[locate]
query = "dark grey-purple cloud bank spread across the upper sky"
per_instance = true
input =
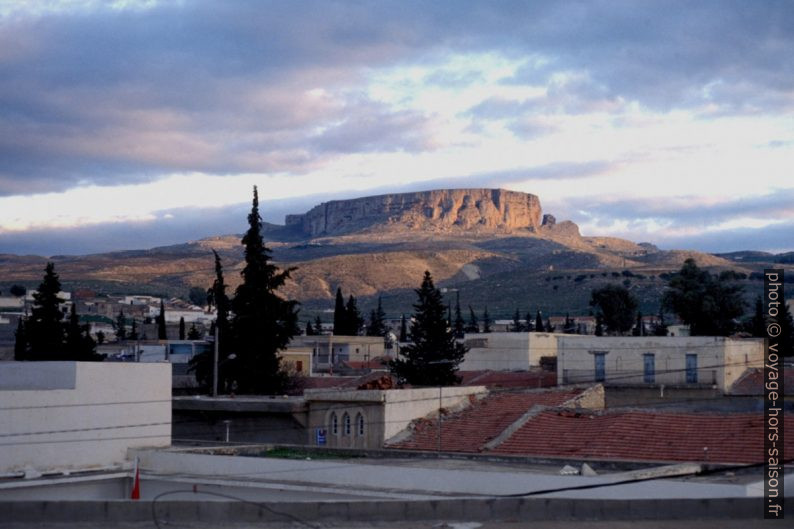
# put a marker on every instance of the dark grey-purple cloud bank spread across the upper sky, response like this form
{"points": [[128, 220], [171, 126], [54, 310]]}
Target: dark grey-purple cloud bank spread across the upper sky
{"points": [[119, 96]]}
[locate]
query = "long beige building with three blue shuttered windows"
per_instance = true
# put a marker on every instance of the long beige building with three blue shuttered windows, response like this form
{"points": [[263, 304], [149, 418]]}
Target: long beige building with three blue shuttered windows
{"points": [[655, 360]]}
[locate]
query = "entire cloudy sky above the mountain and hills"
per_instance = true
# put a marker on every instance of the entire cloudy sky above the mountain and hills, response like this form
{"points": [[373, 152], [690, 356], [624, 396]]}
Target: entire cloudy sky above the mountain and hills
{"points": [[131, 124]]}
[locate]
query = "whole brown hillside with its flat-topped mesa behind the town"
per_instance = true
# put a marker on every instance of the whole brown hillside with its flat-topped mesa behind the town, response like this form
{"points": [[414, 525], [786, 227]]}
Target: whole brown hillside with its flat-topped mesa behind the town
{"points": [[493, 247]]}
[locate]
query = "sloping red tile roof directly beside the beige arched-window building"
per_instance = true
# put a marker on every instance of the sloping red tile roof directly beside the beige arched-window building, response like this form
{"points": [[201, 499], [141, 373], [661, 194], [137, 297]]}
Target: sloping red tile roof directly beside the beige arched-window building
{"points": [[470, 429]]}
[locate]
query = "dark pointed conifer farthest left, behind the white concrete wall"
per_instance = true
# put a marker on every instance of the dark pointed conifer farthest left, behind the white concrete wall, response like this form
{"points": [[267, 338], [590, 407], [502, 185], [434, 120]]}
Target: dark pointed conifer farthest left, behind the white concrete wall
{"points": [[45, 331]]}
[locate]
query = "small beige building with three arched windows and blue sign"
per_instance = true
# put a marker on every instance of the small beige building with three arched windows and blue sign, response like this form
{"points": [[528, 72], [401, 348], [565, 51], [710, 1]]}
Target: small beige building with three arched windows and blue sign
{"points": [[368, 418]]}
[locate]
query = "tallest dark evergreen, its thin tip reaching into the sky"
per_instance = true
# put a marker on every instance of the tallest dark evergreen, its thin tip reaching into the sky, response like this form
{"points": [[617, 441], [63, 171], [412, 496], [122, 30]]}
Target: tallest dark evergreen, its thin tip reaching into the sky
{"points": [[264, 323]]}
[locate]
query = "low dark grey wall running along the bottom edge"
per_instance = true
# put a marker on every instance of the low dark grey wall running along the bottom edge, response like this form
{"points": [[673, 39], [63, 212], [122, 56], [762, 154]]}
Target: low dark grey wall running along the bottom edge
{"points": [[497, 509]]}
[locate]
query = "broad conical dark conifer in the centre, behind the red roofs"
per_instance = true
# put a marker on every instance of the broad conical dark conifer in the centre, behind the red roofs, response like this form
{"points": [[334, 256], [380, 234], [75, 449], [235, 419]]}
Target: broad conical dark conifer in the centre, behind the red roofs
{"points": [[433, 356]]}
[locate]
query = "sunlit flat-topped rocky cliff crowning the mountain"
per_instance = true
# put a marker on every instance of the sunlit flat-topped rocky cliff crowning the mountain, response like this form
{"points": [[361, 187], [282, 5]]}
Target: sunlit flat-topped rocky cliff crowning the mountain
{"points": [[482, 210]]}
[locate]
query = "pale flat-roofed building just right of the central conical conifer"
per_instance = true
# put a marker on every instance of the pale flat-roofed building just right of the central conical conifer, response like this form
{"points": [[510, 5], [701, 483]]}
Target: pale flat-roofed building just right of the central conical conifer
{"points": [[507, 351]]}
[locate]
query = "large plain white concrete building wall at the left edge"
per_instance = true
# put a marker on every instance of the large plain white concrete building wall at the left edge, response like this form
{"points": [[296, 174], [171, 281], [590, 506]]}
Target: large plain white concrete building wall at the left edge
{"points": [[80, 415]]}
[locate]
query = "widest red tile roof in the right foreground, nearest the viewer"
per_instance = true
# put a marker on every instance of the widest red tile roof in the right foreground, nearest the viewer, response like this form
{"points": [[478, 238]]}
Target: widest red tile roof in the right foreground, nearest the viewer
{"points": [[644, 436]]}
